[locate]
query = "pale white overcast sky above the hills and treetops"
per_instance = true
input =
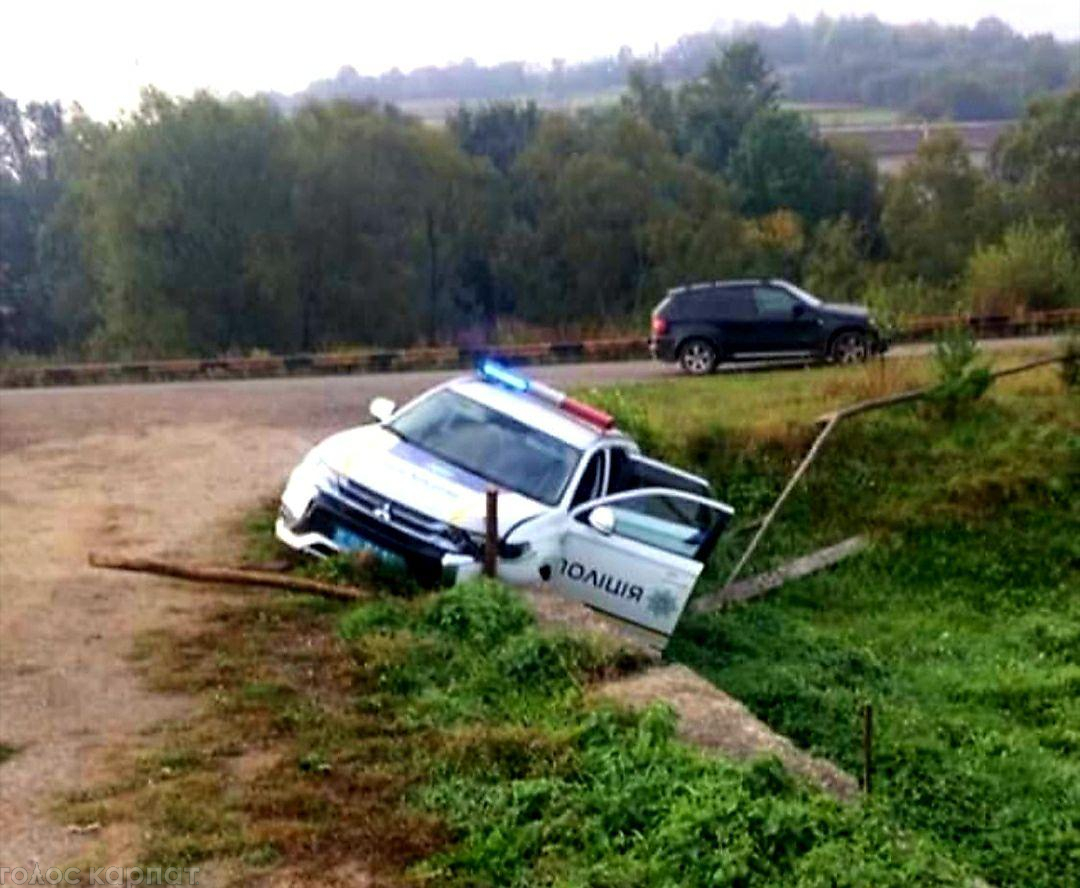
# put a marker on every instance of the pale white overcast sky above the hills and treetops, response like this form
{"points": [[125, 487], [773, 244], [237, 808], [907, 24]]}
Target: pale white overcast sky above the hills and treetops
{"points": [[102, 52]]}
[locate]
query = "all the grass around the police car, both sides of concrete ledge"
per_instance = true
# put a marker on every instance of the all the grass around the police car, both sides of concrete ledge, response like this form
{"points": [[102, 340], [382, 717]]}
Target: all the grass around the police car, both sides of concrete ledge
{"points": [[447, 739]]}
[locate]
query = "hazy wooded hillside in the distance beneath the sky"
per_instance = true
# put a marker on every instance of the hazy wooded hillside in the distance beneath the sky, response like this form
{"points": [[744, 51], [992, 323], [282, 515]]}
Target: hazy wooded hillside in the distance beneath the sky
{"points": [[927, 71]]}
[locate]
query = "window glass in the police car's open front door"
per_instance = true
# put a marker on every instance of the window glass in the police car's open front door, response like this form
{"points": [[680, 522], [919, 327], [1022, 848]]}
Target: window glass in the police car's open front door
{"points": [[674, 524]]}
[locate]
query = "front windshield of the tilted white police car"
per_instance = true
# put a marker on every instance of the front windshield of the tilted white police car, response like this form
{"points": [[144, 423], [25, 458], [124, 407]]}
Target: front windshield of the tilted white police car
{"points": [[490, 445]]}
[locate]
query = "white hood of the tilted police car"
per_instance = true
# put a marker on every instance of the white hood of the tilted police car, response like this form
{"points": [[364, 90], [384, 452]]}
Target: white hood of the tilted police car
{"points": [[406, 474]]}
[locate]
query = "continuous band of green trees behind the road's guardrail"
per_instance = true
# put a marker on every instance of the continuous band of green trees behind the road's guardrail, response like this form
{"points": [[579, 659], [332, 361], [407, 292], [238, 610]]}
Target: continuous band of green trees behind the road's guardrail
{"points": [[201, 226]]}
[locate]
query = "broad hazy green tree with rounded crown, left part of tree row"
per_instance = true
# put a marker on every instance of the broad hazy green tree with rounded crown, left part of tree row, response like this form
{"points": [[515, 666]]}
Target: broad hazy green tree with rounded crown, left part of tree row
{"points": [[174, 200]]}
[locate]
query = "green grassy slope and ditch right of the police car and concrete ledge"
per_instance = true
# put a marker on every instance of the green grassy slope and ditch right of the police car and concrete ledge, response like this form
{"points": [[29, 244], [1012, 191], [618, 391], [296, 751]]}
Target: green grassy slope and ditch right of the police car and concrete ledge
{"points": [[962, 625]]}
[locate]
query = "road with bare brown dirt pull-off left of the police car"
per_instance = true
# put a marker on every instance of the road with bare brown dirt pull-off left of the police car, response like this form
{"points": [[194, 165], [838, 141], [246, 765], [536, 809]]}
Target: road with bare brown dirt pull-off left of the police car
{"points": [[165, 469]]}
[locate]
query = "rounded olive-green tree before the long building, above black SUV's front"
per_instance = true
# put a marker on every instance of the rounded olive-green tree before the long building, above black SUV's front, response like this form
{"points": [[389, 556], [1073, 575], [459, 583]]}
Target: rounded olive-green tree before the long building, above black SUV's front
{"points": [[938, 209]]}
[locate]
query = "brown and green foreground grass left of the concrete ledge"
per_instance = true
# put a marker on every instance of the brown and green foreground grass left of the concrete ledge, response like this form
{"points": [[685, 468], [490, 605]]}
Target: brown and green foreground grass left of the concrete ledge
{"points": [[445, 739]]}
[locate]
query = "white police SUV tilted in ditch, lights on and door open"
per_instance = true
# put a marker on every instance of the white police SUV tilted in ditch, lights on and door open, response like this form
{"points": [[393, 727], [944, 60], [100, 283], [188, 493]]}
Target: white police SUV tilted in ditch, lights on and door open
{"points": [[580, 508]]}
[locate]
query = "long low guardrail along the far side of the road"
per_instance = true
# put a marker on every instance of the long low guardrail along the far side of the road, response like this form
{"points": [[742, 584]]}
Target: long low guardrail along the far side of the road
{"points": [[398, 360]]}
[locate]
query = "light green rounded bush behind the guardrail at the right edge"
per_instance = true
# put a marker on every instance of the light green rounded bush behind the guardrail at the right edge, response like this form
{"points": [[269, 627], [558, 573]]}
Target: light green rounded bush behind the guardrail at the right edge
{"points": [[1032, 270]]}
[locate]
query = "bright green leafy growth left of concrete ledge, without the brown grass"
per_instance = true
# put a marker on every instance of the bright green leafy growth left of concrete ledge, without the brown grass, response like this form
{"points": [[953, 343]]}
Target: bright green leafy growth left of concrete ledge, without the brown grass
{"points": [[541, 787]]}
